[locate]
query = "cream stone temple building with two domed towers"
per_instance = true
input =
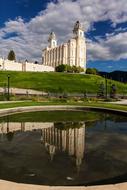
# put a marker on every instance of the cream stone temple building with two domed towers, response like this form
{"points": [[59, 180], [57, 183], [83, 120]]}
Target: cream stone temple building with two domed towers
{"points": [[72, 53]]}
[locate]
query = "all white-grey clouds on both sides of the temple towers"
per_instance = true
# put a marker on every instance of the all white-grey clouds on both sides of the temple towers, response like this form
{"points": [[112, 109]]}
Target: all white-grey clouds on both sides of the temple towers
{"points": [[60, 16]]}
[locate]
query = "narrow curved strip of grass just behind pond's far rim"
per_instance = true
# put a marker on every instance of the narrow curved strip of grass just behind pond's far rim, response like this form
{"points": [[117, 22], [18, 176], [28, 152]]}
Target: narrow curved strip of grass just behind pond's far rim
{"points": [[92, 104]]}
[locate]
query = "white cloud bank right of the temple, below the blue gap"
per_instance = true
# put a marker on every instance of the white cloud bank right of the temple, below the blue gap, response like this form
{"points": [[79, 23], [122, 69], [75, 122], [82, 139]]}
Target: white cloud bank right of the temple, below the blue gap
{"points": [[114, 47]]}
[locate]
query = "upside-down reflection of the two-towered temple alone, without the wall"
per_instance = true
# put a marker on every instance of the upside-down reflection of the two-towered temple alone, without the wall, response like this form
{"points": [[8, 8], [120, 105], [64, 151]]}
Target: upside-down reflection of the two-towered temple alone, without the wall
{"points": [[70, 140]]}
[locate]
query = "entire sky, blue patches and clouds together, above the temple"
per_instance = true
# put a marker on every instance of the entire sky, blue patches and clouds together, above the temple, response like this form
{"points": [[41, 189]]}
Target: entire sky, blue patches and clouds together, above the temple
{"points": [[26, 24]]}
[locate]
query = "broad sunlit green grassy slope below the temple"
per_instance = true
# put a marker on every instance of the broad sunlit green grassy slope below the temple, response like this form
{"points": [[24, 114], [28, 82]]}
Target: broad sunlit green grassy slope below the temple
{"points": [[57, 82]]}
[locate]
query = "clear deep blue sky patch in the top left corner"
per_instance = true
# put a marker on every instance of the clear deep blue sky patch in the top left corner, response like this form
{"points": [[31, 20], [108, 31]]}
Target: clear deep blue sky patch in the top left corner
{"points": [[27, 9]]}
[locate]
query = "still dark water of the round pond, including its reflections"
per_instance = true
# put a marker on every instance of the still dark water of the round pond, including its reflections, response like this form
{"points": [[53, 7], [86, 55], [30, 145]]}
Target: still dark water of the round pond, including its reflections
{"points": [[63, 148]]}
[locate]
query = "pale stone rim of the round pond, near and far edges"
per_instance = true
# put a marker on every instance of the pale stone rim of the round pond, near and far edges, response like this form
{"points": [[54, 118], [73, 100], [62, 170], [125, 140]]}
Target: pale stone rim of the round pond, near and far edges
{"points": [[6, 185]]}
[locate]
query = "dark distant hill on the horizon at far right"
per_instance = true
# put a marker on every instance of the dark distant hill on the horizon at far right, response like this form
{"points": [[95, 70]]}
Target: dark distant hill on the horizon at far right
{"points": [[120, 76]]}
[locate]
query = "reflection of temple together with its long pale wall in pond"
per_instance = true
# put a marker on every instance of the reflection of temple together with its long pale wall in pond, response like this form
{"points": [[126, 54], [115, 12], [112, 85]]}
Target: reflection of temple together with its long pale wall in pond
{"points": [[66, 137]]}
